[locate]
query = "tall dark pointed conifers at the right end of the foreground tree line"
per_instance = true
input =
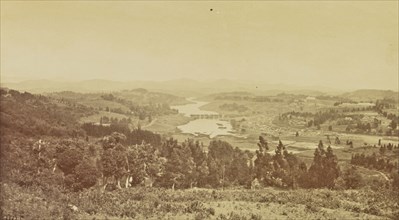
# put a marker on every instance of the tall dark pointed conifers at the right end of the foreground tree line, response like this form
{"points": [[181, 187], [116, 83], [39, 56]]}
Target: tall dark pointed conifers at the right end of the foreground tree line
{"points": [[286, 170]]}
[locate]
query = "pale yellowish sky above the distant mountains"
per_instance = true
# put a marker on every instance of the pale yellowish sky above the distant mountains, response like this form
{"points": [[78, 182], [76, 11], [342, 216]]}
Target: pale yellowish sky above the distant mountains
{"points": [[351, 44]]}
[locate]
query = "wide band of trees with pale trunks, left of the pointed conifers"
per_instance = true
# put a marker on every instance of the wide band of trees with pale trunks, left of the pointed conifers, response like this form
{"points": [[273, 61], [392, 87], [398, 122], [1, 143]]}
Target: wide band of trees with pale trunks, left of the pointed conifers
{"points": [[172, 164]]}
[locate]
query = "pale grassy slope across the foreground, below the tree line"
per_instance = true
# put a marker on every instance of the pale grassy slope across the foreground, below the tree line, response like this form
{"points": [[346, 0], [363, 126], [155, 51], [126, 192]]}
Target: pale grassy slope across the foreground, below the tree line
{"points": [[268, 203]]}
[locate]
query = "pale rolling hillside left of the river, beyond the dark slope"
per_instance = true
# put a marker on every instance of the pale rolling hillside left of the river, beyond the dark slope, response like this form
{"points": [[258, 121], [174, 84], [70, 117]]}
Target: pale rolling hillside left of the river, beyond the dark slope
{"points": [[136, 105]]}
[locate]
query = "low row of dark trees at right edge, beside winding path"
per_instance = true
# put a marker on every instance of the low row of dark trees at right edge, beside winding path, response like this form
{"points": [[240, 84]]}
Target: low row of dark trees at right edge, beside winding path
{"points": [[374, 162]]}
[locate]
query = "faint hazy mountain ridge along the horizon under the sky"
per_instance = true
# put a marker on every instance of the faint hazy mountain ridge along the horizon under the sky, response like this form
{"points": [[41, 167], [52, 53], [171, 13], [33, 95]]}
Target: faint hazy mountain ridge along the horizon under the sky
{"points": [[182, 87]]}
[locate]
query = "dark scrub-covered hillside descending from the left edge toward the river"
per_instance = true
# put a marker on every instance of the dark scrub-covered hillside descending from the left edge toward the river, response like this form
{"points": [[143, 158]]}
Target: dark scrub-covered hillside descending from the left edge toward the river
{"points": [[36, 115]]}
